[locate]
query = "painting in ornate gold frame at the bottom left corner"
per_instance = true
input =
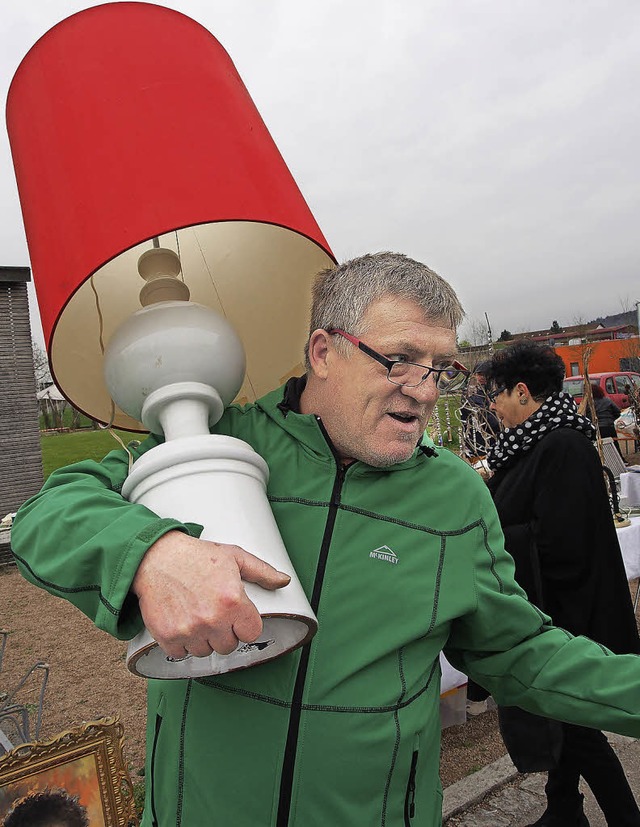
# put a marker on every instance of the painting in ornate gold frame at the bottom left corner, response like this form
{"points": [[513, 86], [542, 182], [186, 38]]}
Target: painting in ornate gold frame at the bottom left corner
{"points": [[80, 771]]}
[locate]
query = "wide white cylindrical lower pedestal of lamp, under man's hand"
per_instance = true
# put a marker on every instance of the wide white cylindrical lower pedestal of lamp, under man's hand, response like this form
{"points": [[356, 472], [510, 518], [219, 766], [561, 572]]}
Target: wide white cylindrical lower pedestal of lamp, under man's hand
{"points": [[220, 483]]}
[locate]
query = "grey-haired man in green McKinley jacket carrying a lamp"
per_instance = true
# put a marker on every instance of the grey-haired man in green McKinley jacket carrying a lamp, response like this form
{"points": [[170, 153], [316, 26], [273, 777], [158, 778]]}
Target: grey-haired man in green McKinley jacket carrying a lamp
{"points": [[344, 731]]}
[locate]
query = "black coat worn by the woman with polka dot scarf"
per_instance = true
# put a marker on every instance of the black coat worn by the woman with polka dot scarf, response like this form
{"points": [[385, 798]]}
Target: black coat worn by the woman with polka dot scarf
{"points": [[553, 501]]}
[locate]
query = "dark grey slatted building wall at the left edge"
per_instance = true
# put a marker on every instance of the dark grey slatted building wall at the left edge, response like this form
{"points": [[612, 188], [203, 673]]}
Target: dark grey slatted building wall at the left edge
{"points": [[20, 454]]}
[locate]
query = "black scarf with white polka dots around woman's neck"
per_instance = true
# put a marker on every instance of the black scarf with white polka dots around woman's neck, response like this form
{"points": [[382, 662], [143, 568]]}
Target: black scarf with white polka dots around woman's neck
{"points": [[557, 411]]}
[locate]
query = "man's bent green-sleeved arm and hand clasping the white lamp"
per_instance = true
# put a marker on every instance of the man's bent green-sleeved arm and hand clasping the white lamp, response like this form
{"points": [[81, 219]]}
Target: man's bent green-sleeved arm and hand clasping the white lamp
{"points": [[81, 540]]}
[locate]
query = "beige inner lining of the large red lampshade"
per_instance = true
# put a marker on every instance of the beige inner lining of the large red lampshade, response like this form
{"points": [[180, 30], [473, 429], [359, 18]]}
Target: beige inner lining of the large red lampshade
{"points": [[257, 275]]}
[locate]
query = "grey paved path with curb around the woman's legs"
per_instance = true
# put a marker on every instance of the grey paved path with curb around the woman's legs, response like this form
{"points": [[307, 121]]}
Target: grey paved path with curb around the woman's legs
{"points": [[498, 796]]}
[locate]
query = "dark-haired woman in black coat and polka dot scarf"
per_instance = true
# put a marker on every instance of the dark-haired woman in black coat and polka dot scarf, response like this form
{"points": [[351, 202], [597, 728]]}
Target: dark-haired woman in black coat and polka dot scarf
{"points": [[549, 490]]}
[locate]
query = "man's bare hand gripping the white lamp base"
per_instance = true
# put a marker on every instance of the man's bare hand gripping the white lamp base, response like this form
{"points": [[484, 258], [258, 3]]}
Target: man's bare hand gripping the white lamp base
{"points": [[191, 595]]}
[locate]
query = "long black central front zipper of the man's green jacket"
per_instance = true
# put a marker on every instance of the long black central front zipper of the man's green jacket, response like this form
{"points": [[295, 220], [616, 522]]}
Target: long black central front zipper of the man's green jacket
{"points": [[288, 765]]}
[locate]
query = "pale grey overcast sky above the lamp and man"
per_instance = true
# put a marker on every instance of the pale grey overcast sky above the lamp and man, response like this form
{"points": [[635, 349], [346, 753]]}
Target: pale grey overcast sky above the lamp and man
{"points": [[495, 140]]}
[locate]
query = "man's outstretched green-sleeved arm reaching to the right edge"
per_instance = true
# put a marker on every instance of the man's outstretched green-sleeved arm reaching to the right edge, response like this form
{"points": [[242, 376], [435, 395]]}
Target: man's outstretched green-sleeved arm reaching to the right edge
{"points": [[509, 647]]}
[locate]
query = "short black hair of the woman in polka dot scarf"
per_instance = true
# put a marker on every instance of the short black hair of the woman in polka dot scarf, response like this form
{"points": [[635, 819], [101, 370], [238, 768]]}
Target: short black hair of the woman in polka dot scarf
{"points": [[538, 366]]}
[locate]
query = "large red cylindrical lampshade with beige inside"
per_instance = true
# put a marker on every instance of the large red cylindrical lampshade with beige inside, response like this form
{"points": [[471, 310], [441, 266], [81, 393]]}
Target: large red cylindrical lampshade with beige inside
{"points": [[129, 122]]}
